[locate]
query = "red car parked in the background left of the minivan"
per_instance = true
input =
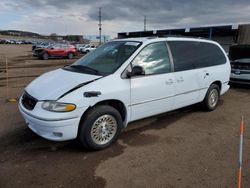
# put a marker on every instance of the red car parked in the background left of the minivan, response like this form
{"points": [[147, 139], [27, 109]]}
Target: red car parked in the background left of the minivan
{"points": [[55, 51]]}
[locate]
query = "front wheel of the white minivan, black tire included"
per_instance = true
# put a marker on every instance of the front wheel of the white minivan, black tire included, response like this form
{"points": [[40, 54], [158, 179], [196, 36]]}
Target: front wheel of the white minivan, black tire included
{"points": [[100, 127]]}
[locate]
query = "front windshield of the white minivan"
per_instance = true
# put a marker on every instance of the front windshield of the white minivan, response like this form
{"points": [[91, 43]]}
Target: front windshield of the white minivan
{"points": [[106, 59]]}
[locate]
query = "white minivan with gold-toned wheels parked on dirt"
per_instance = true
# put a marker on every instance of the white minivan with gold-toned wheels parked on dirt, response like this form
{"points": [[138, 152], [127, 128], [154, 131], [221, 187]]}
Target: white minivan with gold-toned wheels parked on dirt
{"points": [[122, 81]]}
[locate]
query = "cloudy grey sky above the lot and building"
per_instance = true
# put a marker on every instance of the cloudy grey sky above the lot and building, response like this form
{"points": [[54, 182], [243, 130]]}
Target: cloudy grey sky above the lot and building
{"points": [[81, 16]]}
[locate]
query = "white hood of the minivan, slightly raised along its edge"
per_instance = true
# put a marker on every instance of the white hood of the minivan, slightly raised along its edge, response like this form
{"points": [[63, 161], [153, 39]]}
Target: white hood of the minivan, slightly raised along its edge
{"points": [[52, 85]]}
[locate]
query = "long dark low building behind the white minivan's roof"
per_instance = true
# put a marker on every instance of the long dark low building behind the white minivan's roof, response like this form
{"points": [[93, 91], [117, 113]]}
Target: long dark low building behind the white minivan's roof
{"points": [[226, 35]]}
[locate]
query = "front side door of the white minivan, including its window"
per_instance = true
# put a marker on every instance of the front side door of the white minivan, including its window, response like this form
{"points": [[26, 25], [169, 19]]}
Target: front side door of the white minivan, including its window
{"points": [[153, 92]]}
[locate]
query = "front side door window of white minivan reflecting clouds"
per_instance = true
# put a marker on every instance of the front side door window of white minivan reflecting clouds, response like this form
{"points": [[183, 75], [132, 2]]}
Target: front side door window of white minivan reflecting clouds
{"points": [[153, 59]]}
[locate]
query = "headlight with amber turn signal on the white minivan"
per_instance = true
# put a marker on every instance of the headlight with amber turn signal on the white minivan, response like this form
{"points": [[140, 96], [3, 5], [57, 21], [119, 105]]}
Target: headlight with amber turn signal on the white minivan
{"points": [[58, 107]]}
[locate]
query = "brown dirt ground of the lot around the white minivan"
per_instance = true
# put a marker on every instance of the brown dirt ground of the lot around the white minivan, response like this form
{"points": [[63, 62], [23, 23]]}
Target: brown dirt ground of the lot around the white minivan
{"points": [[185, 148]]}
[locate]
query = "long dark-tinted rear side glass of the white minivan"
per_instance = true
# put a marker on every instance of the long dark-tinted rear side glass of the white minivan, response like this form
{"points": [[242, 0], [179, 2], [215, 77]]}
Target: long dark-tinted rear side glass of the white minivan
{"points": [[190, 55]]}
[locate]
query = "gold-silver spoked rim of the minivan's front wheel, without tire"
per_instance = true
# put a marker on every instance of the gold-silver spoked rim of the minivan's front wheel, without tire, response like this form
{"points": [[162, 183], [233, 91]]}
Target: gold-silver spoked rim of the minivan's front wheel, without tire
{"points": [[103, 129]]}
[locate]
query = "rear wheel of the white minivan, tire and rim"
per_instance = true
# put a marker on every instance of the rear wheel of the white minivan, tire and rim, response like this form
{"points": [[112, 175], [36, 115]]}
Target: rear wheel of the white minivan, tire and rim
{"points": [[212, 97]]}
